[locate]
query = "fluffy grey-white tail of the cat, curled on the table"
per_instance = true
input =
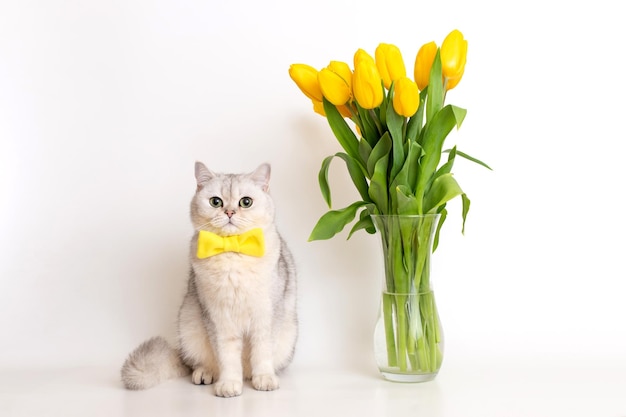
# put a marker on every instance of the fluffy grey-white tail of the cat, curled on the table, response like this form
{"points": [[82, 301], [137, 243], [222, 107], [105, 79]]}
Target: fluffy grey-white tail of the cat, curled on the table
{"points": [[153, 362]]}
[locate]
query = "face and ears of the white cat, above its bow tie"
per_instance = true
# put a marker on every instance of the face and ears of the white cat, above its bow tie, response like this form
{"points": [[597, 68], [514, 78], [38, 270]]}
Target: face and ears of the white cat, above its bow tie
{"points": [[229, 204]]}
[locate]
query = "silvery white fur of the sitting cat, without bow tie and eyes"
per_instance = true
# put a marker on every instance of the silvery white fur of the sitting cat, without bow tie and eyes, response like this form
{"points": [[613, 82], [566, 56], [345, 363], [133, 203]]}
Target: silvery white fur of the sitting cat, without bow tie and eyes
{"points": [[238, 318]]}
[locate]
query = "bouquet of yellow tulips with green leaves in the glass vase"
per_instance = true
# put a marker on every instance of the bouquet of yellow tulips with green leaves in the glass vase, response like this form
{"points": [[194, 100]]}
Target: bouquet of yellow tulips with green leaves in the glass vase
{"points": [[393, 148]]}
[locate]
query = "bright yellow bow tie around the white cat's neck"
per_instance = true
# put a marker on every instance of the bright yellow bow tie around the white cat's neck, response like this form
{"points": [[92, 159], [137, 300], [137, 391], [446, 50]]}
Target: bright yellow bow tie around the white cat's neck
{"points": [[249, 243]]}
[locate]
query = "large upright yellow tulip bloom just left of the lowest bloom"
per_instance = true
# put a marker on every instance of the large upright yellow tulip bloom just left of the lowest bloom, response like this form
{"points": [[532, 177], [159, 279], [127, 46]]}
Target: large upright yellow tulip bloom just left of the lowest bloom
{"points": [[366, 83]]}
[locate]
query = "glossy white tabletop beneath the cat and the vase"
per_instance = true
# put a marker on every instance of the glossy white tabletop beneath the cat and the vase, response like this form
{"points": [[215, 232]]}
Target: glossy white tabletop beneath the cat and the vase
{"points": [[466, 387]]}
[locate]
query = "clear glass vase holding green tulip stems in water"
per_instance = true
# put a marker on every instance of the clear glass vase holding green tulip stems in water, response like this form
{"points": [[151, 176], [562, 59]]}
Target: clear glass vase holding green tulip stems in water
{"points": [[408, 339]]}
